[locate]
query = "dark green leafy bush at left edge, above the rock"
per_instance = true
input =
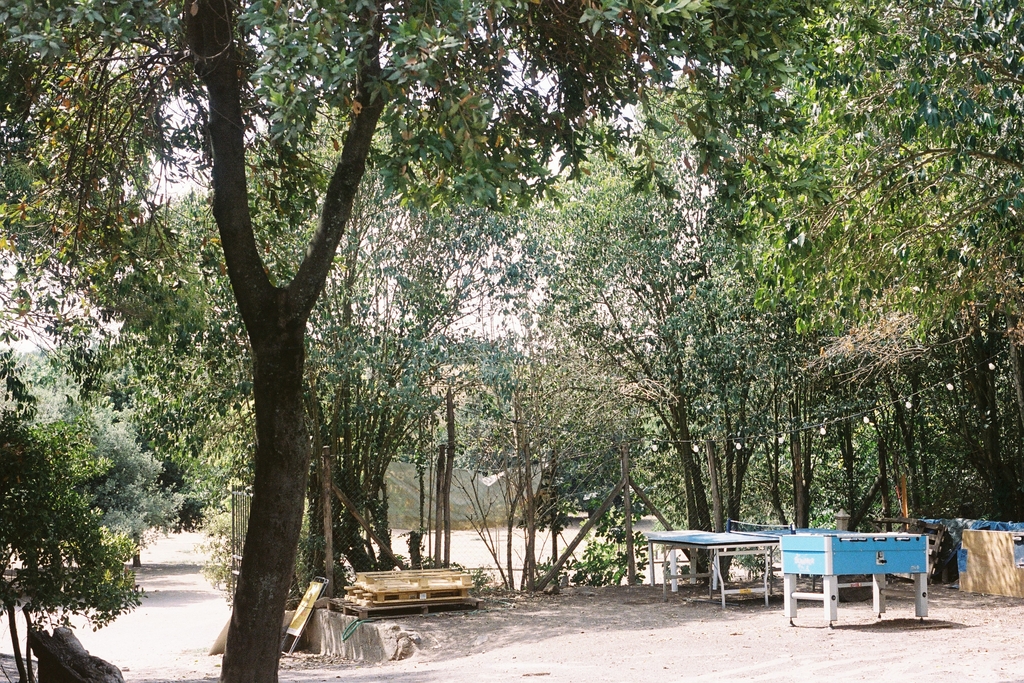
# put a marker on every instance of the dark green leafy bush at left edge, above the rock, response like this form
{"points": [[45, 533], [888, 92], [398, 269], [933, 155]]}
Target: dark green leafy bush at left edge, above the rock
{"points": [[63, 561]]}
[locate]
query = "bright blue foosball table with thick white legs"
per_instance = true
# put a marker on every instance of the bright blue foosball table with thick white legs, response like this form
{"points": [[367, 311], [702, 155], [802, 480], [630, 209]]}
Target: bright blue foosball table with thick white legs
{"points": [[835, 556]]}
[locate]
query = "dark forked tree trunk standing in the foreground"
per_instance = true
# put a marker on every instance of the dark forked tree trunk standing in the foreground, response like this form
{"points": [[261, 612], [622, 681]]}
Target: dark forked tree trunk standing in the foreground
{"points": [[275, 320]]}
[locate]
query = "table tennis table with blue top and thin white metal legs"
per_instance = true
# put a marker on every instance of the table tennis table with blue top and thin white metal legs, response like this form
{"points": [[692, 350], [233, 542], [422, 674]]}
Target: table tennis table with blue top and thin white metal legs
{"points": [[717, 545]]}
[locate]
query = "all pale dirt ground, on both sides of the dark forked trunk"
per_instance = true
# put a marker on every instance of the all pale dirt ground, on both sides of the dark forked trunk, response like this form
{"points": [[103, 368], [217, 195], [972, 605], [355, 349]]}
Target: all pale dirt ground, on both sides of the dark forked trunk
{"points": [[592, 636]]}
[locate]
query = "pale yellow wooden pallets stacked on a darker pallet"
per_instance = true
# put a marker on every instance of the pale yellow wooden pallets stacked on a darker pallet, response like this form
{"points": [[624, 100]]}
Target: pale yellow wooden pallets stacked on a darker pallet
{"points": [[373, 589]]}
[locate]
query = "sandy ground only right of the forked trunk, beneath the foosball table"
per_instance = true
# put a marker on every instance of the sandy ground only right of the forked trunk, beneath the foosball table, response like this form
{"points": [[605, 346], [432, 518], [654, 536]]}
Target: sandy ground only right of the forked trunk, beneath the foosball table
{"points": [[620, 634]]}
